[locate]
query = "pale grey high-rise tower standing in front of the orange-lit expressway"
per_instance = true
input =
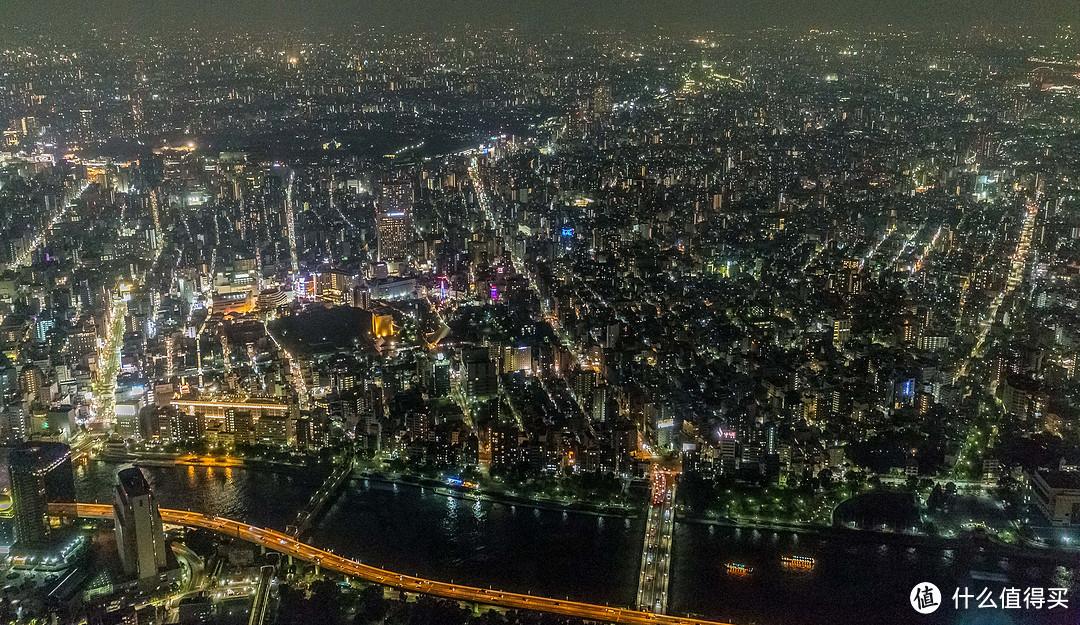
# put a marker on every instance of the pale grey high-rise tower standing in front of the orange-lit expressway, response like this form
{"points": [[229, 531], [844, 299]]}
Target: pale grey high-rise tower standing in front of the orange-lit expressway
{"points": [[140, 538]]}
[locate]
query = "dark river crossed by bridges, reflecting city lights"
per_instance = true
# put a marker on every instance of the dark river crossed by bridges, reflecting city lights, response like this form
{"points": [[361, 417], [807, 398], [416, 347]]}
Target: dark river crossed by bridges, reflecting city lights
{"points": [[415, 531]]}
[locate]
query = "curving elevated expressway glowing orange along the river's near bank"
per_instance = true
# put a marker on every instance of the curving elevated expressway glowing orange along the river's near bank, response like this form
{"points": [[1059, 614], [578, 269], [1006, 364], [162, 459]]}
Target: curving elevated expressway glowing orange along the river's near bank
{"points": [[287, 545]]}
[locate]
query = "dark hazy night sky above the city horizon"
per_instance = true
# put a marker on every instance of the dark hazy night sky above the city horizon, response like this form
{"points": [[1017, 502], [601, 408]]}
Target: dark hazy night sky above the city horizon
{"points": [[724, 16]]}
